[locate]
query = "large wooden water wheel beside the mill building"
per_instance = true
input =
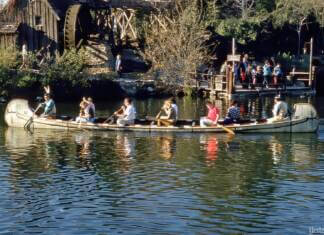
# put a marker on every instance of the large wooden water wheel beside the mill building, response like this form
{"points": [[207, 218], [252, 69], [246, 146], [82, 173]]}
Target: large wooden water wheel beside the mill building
{"points": [[76, 26]]}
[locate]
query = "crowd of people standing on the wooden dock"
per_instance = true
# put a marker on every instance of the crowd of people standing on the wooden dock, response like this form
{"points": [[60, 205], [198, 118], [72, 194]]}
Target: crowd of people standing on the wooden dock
{"points": [[251, 75]]}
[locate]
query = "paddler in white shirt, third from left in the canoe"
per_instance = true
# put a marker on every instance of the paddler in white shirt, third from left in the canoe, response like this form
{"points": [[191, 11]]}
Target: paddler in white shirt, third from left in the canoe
{"points": [[126, 115]]}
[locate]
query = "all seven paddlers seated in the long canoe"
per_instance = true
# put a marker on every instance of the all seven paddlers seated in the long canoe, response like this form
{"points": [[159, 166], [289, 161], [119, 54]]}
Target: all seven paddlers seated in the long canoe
{"points": [[167, 116]]}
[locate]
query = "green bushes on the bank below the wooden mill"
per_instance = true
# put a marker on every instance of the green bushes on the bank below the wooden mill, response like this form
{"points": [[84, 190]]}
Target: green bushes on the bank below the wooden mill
{"points": [[67, 71]]}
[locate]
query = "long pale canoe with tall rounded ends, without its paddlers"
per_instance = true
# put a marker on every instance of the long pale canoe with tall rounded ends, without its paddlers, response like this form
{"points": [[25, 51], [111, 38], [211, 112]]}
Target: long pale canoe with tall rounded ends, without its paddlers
{"points": [[18, 113]]}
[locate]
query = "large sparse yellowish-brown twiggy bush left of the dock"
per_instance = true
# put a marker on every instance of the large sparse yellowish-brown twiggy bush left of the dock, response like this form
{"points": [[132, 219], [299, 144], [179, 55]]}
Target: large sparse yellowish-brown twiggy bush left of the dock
{"points": [[177, 48]]}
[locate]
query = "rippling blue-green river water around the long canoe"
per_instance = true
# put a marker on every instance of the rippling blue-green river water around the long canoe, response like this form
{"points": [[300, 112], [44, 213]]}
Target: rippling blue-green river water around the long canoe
{"points": [[82, 182]]}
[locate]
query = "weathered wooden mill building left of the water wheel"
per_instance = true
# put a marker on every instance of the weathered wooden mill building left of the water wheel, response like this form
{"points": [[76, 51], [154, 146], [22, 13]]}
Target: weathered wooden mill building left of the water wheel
{"points": [[37, 23]]}
